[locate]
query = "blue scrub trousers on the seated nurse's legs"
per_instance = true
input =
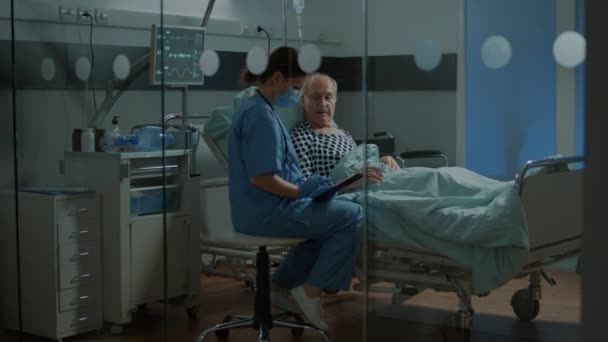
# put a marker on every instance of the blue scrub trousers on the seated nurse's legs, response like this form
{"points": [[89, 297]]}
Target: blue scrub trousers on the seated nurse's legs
{"points": [[327, 259]]}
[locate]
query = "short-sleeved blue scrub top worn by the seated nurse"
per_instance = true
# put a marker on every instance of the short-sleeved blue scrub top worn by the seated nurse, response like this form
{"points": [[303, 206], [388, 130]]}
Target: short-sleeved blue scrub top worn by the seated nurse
{"points": [[260, 144]]}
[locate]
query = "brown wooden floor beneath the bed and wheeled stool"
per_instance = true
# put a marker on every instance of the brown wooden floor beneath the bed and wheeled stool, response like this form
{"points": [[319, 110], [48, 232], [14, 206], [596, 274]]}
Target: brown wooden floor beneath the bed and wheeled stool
{"points": [[419, 319]]}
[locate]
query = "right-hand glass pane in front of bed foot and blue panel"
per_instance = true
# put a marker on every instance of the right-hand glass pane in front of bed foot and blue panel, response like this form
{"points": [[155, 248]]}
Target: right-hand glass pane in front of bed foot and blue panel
{"points": [[456, 246]]}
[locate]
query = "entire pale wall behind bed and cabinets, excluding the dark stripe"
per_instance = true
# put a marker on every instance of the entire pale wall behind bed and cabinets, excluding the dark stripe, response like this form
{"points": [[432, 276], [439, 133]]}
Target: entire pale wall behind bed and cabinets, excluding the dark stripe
{"points": [[424, 119]]}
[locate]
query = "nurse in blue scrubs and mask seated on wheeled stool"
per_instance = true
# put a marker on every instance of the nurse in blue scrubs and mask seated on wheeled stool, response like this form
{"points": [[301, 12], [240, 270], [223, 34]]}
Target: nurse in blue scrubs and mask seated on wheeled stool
{"points": [[269, 198]]}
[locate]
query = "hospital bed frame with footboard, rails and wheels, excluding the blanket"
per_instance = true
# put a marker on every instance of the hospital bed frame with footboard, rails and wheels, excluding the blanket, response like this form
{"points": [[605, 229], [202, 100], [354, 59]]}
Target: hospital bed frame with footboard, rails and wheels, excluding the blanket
{"points": [[553, 237]]}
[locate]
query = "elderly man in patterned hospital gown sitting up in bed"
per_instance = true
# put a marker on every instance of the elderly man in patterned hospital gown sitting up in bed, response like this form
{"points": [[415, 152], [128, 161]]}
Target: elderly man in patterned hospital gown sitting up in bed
{"points": [[318, 143]]}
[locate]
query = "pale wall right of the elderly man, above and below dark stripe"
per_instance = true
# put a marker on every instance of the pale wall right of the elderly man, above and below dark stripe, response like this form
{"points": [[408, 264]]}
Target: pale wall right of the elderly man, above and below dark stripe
{"points": [[417, 119]]}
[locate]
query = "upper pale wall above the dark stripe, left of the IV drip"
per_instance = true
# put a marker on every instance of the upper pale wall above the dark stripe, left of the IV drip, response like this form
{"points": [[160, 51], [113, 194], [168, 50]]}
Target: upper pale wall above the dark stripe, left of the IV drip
{"points": [[224, 34]]}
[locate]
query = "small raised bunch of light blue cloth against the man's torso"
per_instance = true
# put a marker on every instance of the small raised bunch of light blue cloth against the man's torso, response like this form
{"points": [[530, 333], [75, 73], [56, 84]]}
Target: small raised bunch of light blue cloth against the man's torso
{"points": [[355, 160]]}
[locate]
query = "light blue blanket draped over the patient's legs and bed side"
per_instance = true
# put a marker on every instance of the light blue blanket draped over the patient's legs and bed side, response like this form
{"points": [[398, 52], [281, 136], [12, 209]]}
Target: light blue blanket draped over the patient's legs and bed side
{"points": [[477, 221]]}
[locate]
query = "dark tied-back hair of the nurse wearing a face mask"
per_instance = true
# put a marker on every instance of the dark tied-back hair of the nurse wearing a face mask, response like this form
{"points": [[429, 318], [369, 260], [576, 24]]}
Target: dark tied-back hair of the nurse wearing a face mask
{"points": [[283, 59]]}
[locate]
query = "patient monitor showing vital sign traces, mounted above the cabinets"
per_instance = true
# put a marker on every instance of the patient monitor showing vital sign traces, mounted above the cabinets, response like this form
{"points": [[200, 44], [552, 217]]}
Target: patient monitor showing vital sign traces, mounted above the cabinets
{"points": [[181, 48]]}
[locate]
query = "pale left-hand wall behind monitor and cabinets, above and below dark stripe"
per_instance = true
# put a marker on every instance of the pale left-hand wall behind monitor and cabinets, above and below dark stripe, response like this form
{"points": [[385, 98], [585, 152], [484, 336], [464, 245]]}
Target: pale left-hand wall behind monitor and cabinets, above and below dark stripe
{"points": [[46, 118]]}
